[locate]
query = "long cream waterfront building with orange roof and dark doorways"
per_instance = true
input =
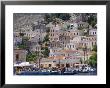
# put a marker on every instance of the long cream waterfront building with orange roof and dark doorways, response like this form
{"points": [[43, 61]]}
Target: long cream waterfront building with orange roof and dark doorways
{"points": [[64, 62]]}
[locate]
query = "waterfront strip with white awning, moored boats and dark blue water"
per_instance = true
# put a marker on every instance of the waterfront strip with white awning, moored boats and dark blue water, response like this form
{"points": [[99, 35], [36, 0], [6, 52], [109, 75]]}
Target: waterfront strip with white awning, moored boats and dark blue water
{"points": [[78, 70]]}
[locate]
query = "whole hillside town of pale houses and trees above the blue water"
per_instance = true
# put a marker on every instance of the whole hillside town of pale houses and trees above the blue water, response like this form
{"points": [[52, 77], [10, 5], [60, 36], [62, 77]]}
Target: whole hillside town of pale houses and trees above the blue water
{"points": [[63, 43]]}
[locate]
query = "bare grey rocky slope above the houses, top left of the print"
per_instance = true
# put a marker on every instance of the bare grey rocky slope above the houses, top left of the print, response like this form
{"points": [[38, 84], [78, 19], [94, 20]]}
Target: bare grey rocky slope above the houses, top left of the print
{"points": [[25, 22]]}
